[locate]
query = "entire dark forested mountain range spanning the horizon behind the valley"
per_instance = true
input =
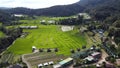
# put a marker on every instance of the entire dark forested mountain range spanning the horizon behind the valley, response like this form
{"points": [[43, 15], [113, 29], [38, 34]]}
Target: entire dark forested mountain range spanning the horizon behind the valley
{"points": [[103, 10]]}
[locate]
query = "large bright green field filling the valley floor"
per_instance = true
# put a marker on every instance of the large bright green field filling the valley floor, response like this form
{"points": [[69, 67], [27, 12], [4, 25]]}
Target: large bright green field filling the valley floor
{"points": [[48, 36]]}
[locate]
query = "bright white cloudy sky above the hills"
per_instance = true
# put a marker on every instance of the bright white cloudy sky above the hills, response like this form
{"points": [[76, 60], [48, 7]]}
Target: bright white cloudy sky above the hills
{"points": [[35, 4]]}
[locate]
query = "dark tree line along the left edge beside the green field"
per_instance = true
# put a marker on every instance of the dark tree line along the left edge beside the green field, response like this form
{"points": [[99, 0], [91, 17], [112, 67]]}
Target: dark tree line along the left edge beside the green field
{"points": [[11, 35]]}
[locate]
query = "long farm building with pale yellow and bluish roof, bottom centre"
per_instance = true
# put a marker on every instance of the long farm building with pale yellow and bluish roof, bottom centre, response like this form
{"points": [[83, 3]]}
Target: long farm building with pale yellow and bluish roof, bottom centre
{"points": [[64, 63]]}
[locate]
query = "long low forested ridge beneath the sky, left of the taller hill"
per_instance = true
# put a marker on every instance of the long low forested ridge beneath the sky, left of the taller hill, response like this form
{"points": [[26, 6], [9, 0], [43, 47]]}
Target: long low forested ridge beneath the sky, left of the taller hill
{"points": [[60, 10]]}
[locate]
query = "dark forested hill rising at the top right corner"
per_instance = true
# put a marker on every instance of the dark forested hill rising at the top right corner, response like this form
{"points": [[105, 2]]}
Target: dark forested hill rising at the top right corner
{"points": [[107, 10]]}
